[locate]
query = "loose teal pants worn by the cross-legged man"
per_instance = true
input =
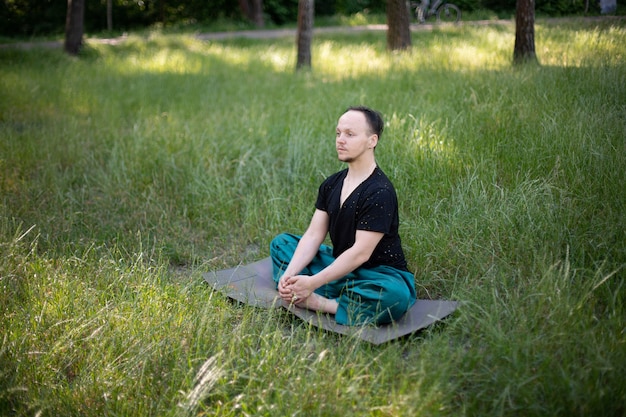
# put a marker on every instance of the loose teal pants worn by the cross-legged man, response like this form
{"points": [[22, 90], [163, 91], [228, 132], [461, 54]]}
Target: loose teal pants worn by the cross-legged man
{"points": [[376, 295]]}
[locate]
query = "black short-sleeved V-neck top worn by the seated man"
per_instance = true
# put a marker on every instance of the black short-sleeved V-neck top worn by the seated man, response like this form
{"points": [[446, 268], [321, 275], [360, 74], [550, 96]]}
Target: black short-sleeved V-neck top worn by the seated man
{"points": [[372, 206]]}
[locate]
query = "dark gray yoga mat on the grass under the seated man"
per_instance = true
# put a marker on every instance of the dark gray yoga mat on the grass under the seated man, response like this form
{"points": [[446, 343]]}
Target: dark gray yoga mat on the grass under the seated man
{"points": [[252, 284]]}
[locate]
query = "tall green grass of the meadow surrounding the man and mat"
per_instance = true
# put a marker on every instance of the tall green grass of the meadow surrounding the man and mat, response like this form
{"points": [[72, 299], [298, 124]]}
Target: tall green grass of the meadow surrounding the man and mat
{"points": [[128, 172]]}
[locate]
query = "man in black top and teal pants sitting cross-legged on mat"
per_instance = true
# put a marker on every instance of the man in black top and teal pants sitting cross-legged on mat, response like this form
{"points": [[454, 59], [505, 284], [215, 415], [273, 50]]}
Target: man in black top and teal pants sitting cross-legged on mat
{"points": [[363, 278]]}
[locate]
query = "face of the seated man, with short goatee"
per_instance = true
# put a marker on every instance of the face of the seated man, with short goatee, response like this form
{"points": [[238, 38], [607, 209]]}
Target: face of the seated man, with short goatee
{"points": [[353, 138]]}
